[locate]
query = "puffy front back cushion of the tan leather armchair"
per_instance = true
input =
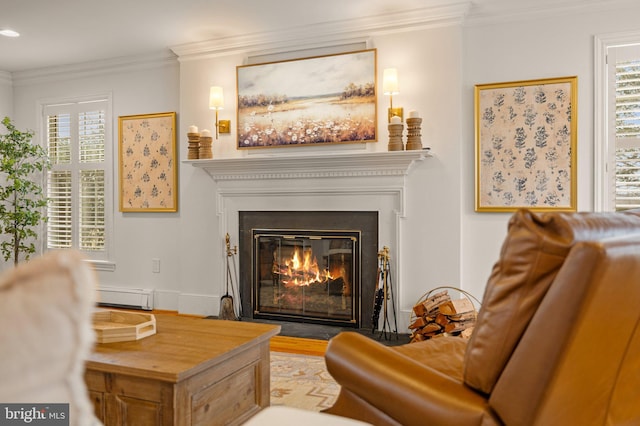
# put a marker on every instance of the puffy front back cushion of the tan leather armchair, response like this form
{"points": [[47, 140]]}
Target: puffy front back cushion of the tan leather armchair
{"points": [[533, 251]]}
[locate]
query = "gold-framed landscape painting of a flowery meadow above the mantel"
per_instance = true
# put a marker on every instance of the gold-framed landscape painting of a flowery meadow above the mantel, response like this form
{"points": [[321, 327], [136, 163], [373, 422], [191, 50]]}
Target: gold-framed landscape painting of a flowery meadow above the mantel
{"points": [[312, 101]]}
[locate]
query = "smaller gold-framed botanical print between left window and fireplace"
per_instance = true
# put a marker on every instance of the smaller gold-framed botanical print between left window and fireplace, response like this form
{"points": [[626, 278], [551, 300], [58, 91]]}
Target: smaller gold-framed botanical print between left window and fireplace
{"points": [[147, 163]]}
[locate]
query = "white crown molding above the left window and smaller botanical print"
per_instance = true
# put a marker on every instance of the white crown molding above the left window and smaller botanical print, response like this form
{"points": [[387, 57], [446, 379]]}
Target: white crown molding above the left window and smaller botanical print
{"points": [[93, 68]]}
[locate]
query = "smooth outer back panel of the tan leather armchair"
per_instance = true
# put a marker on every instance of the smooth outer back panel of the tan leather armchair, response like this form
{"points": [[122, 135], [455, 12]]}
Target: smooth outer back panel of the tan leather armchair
{"points": [[578, 362]]}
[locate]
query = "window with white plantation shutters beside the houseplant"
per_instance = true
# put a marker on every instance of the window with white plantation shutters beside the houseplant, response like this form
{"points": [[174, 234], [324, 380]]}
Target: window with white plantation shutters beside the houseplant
{"points": [[78, 139]]}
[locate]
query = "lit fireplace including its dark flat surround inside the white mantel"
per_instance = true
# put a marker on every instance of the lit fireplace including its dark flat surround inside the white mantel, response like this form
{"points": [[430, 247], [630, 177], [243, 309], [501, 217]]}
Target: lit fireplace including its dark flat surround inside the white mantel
{"points": [[309, 266]]}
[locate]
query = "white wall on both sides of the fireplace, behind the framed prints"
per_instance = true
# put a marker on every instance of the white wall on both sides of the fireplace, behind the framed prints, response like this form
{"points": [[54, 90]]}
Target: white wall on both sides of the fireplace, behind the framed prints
{"points": [[449, 244]]}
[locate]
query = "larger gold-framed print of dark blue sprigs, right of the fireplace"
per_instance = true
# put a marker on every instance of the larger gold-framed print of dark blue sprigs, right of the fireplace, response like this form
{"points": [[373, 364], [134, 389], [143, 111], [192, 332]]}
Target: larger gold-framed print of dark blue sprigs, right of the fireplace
{"points": [[526, 145]]}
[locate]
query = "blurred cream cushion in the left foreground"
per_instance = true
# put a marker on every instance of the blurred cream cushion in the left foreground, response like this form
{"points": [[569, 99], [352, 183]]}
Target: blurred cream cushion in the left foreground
{"points": [[46, 334]]}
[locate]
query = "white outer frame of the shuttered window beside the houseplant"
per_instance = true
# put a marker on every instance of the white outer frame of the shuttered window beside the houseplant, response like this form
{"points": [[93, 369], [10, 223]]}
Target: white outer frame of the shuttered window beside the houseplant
{"points": [[102, 260]]}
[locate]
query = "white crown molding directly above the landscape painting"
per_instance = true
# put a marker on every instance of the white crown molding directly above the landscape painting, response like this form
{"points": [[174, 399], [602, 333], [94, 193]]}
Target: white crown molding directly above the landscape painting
{"points": [[310, 36]]}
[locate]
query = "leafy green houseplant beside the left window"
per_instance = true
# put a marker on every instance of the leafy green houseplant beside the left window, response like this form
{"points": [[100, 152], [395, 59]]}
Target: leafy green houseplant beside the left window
{"points": [[22, 197]]}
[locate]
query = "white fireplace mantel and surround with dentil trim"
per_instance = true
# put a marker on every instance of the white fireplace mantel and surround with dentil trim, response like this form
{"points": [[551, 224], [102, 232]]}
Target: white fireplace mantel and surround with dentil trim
{"points": [[344, 181]]}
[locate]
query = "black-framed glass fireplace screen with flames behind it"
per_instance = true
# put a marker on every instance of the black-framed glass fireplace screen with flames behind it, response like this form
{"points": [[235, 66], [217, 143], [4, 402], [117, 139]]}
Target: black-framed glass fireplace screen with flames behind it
{"points": [[308, 275]]}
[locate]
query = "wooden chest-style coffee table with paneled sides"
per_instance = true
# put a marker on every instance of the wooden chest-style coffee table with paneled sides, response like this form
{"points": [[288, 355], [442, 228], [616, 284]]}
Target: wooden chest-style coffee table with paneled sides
{"points": [[193, 371]]}
